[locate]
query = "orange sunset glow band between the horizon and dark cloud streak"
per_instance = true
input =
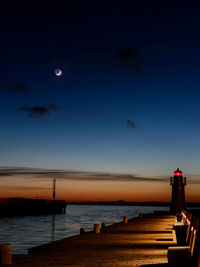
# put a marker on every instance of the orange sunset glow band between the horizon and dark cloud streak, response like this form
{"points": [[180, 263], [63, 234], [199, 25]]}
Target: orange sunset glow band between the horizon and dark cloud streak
{"points": [[95, 191]]}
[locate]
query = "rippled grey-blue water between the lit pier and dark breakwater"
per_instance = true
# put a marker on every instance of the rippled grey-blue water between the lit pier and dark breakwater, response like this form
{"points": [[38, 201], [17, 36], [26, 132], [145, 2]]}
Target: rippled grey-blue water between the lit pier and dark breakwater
{"points": [[30, 231]]}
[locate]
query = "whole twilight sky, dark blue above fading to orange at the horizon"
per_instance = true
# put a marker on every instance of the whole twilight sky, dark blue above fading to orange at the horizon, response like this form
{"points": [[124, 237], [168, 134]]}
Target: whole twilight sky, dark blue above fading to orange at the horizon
{"points": [[126, 105]]}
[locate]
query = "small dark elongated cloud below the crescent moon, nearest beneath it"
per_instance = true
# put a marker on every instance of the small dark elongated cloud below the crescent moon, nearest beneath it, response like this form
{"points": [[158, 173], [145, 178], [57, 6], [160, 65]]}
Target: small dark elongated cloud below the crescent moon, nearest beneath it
{"points": [[39, 111]]}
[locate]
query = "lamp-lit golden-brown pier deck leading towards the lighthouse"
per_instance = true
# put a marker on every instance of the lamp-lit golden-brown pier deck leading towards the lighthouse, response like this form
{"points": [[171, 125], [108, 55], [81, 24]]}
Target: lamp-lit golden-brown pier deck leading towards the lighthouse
{"points": [[140, 242]]}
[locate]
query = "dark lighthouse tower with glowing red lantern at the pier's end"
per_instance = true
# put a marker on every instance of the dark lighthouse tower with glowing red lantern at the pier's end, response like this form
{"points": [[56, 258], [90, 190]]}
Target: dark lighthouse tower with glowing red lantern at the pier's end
{"points": [[178, 183]]}
